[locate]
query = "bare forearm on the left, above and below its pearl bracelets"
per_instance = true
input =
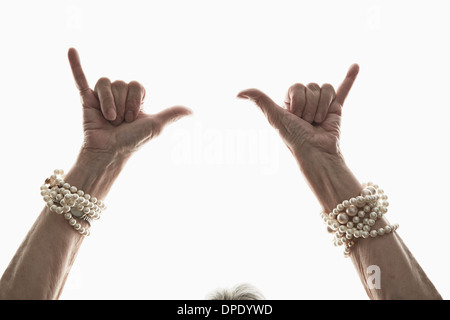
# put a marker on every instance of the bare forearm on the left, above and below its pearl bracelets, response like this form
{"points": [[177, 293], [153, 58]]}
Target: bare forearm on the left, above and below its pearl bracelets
{"points": [[41, 264]]}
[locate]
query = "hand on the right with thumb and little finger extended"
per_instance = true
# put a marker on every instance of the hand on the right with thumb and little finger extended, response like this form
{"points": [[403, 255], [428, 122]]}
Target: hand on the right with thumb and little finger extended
{"points": [[311, 117]]}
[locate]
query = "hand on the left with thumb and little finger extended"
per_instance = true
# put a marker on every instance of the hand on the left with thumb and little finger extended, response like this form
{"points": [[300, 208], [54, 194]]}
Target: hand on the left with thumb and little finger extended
{"points": [[108, 105]]}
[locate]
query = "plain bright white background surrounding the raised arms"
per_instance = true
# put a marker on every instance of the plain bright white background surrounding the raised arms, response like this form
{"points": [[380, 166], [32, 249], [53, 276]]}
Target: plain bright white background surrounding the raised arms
{"points": [[217, 199]]}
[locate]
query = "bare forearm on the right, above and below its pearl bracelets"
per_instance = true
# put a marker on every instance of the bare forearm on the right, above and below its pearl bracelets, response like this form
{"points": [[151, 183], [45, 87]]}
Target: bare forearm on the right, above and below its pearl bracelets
{"points": [[401, 277]]}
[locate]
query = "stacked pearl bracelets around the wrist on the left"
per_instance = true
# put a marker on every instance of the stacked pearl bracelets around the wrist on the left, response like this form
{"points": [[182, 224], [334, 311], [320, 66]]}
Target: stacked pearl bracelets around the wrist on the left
{"points": [[73, 204]]}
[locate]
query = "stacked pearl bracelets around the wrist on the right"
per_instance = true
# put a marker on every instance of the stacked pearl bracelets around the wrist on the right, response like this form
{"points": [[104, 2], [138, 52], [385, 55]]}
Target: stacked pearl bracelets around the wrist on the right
{"points": [[354, 218]]}
